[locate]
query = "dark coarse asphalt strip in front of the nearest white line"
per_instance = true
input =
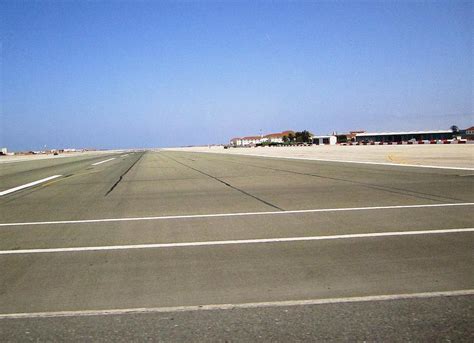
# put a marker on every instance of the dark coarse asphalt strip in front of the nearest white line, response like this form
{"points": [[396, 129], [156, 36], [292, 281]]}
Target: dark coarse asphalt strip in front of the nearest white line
{"points": [[434, 320]]}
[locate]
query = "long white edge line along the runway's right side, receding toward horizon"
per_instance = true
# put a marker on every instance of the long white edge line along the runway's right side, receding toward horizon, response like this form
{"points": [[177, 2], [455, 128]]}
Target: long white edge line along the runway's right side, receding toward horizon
{"points": [[340, 161]]}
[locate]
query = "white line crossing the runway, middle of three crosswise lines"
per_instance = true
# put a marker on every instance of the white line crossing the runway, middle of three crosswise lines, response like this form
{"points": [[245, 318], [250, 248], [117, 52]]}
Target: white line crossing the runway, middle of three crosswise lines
{"points": [[234, 242]]}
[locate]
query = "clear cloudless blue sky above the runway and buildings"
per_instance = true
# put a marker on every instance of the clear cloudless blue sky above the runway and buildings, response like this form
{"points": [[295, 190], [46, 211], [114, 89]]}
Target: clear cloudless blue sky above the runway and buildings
{"points": [[155, 74]]}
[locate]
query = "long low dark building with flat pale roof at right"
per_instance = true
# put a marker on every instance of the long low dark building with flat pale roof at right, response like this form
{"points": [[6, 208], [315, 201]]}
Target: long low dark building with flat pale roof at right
{"points": [[404, 136]]}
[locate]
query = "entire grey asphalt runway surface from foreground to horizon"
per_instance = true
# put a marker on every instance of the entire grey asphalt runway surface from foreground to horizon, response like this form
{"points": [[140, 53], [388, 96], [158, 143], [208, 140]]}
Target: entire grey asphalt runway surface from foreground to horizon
{"points": [[156, 184]]}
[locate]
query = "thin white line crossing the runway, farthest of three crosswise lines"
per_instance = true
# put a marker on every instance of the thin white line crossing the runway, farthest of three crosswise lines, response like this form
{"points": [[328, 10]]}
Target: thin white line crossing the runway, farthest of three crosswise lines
{"points": [[238, 214]]}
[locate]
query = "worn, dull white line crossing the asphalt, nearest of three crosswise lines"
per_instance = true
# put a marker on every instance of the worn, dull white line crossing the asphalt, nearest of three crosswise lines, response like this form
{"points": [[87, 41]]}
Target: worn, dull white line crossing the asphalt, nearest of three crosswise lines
{"points": [[284, 303]]}
